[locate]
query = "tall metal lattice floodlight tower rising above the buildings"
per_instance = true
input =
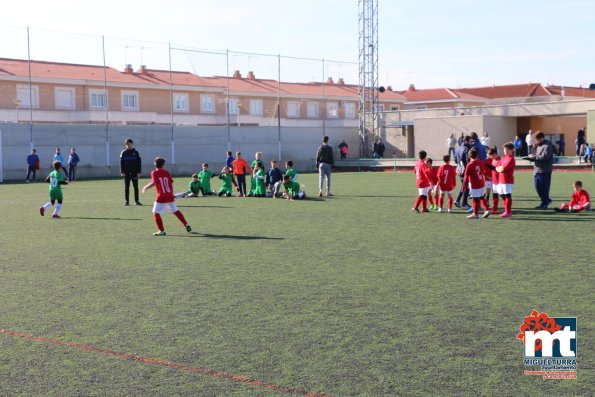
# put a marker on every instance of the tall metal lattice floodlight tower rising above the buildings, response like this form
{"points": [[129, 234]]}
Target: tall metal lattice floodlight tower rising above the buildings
{"points": [[368, 73]]}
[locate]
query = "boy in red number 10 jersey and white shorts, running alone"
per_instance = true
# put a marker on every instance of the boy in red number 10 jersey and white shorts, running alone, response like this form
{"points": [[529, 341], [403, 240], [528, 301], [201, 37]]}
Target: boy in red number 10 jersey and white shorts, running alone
{"points": [[165, 200]]}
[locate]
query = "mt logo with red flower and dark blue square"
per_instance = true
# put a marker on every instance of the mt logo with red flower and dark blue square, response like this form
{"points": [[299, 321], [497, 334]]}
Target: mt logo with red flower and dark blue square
{"points": [[545, 336]]}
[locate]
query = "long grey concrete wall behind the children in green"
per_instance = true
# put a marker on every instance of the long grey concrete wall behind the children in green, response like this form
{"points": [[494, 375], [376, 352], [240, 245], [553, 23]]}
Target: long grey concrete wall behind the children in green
{"points": [[193, 145]]}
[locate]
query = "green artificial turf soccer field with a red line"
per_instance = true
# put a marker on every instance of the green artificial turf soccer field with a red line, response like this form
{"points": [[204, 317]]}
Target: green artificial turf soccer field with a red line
{"points": [[353, 295]]}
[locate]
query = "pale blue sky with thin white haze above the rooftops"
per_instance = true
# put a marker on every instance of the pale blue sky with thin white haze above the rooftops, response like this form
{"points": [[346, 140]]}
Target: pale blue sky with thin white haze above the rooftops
{"points": [[431, 43]]}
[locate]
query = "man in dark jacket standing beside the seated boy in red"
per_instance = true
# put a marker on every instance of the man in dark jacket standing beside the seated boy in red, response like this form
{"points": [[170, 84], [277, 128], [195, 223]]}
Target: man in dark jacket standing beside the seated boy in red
{"points": [[543, 162]]}
